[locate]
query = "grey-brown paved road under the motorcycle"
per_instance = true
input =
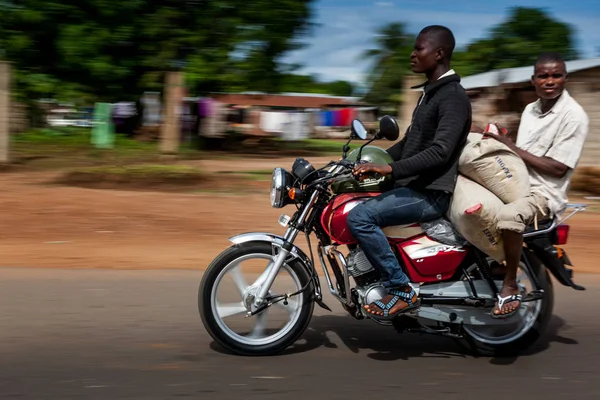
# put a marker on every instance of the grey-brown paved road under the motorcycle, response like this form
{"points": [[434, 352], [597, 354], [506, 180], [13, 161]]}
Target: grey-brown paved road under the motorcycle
{"points": [[98, 334]]}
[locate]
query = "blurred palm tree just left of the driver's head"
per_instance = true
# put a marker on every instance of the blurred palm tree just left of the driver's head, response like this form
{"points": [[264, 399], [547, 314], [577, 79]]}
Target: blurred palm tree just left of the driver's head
{"points": [[390, 64]]}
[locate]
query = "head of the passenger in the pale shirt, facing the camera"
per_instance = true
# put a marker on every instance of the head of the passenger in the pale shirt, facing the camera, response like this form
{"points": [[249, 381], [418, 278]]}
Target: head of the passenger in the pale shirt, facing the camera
{"points": [[549, 76]]}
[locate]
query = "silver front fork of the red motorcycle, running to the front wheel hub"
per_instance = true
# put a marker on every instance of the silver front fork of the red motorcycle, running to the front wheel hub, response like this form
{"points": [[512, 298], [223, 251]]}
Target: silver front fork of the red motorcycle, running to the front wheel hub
{"points": [[264, 282]]}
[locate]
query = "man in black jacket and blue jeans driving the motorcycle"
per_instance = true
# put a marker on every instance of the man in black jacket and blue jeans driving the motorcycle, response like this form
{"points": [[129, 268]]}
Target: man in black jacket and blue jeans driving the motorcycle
{"points": [[425, 167]]}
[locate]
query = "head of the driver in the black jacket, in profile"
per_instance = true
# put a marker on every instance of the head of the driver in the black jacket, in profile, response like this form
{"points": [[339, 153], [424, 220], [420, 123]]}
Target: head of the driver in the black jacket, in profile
{"points": [[433, 46]]}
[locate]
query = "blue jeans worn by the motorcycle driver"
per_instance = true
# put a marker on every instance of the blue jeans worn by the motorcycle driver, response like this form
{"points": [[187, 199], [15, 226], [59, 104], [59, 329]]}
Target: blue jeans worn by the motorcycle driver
{"points": [[397, 207]]}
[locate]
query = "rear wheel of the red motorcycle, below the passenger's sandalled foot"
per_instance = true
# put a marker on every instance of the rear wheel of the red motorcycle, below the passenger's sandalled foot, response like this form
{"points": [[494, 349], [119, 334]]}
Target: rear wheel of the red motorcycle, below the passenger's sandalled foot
{"points": [[521, 330]]}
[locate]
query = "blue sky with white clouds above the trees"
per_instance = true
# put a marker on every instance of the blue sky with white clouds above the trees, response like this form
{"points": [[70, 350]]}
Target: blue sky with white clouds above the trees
{"points": [[334, 49]]}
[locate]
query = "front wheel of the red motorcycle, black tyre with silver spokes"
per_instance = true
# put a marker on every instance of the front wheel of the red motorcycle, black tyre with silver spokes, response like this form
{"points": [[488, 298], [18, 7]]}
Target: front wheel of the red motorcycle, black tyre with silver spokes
{"points": [[247, 345]]}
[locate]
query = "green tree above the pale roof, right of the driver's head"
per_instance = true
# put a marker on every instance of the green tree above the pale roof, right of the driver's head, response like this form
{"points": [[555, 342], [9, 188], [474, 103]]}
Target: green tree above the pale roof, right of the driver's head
{"points": [[517, 42]]}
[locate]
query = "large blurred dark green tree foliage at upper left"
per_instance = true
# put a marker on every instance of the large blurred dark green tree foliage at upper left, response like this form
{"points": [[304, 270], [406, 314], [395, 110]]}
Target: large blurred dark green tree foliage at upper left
{"points": [[109, 49]]}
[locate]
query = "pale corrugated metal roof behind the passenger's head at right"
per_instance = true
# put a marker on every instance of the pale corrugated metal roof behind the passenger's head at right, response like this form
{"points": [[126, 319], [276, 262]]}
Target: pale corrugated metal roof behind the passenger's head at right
{"points": [[519, 75]]}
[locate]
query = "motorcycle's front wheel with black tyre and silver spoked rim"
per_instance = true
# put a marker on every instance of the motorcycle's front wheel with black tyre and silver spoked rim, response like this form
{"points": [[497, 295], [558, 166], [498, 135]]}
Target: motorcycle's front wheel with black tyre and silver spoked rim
{"points": [[224, 308]]}
